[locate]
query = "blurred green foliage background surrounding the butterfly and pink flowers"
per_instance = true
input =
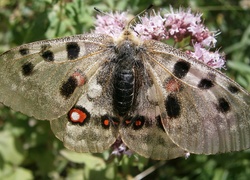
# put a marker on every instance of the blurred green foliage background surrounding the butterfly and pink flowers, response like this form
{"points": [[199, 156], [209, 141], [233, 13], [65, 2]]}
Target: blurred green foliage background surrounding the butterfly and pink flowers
{"points": [[28, 148]]}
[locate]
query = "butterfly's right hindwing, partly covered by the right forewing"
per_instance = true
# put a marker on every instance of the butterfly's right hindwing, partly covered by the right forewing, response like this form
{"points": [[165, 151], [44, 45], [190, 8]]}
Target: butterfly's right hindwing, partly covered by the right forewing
{"points": [[142, 131]]}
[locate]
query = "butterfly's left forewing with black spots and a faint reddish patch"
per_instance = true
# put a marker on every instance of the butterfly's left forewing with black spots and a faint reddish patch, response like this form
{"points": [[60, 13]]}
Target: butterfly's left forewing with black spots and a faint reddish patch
{"points": [[44, 79]]}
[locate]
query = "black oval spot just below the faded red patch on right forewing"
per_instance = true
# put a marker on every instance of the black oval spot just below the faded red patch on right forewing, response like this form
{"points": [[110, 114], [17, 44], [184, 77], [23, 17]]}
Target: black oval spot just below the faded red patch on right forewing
{"points": [[173, 106]]}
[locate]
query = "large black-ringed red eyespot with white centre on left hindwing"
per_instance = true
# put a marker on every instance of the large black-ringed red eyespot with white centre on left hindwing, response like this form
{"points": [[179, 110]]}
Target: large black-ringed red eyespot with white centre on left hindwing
{"points": [[78, 115]]}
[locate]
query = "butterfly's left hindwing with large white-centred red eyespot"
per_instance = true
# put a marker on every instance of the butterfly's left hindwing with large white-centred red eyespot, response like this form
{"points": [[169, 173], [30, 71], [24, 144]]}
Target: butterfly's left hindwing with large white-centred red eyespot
{"points": [[90, 125]]}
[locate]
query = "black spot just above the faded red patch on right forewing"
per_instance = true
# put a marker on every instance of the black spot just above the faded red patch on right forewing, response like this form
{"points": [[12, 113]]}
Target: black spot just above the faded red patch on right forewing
{"points": [[181, 69]]}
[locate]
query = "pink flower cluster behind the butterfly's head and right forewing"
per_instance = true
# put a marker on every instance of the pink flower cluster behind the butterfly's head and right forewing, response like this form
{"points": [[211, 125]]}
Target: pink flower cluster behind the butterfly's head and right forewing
{"points": [[178, 25]]}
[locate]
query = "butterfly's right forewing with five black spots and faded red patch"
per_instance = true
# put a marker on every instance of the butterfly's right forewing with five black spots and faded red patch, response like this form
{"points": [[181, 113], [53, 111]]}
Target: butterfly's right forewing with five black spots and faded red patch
{"points": [[202, 111]]}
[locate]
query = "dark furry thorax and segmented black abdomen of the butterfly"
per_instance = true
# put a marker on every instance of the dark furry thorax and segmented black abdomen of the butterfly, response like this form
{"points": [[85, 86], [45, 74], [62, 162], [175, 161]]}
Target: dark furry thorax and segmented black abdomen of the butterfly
{"points": [[124, 77]]}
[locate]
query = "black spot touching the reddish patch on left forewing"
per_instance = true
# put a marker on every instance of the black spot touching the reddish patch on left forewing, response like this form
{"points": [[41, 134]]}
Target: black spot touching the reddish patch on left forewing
{"points": [[69, 87]]}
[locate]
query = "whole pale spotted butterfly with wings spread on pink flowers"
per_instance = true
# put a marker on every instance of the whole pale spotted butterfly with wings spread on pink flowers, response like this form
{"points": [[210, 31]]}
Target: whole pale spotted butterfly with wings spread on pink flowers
{"points": [[95, 89]]}
